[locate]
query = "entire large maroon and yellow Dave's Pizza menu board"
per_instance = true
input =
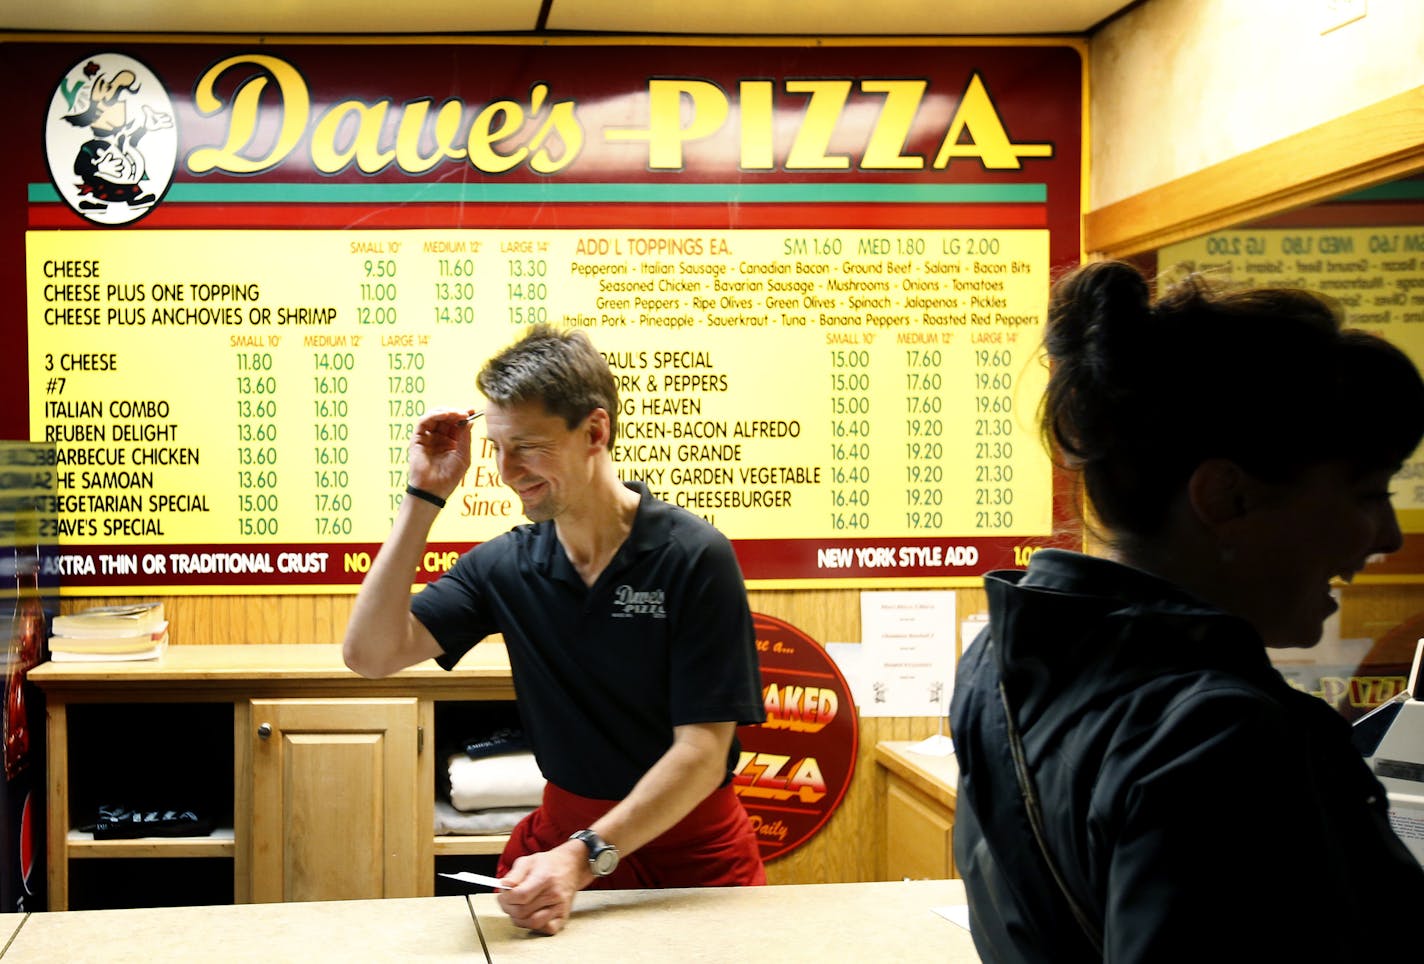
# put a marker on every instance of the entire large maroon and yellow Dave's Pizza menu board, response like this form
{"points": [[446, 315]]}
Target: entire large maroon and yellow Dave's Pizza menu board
{"points": [[818, 271]]}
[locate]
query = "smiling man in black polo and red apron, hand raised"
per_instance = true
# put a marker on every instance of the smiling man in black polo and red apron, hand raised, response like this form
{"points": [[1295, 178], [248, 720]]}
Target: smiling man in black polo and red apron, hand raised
{"points": [[627, 626]]}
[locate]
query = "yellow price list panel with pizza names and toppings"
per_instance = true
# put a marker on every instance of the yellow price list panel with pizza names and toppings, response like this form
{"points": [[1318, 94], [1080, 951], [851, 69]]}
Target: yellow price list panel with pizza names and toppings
{"points": [[241, 387]]}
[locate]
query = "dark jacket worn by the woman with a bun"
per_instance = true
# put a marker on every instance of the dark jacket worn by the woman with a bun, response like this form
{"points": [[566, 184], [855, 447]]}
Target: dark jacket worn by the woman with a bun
{"points": [[1200, 807]]}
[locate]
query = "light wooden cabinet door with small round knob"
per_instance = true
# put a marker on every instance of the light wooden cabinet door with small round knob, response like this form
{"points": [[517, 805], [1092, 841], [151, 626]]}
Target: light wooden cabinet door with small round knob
{"points": [[334, 800]]}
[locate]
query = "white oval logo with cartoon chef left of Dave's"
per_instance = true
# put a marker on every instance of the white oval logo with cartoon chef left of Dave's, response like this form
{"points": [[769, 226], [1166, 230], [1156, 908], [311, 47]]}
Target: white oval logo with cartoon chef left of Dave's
{"points": [[110, 139]]}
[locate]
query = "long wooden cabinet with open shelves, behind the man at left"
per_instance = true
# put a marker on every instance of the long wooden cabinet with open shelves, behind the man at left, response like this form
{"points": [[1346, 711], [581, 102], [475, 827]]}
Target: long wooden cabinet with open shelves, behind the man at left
{"points": [[323, 782]]}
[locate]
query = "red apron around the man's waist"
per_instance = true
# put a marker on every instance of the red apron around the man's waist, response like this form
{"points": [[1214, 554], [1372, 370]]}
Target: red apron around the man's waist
{"points": [[714, 847]]}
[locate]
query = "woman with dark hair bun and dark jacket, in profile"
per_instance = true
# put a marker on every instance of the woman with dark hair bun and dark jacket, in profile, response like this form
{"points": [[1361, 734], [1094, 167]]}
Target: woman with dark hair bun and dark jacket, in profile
{"points": [[1137, 782]]}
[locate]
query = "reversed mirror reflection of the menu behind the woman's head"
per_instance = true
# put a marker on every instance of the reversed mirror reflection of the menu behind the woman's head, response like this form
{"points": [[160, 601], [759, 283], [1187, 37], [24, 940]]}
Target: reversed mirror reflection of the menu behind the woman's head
{"points": [[1376, 277]]}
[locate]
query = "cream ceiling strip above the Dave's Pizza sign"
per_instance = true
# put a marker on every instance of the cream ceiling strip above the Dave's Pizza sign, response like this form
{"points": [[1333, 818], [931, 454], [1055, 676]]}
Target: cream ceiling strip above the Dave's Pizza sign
{"points": [[721, 18]]}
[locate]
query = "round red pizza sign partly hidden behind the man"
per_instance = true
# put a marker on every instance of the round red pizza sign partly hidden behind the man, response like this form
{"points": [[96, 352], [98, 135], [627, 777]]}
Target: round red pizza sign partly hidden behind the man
{"points": [[797, 767]]}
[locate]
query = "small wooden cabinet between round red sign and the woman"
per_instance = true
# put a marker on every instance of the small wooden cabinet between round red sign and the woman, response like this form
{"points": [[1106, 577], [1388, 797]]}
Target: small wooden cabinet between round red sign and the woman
{"points": [[919, 812]]}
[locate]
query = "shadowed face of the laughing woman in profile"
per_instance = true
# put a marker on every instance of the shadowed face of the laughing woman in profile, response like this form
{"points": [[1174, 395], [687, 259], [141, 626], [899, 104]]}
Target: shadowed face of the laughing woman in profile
{"points": [[1297, 538]]}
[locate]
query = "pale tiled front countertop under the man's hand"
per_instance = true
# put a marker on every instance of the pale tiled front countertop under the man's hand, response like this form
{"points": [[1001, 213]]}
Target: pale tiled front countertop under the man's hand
{"points": [[827, 923]]}
